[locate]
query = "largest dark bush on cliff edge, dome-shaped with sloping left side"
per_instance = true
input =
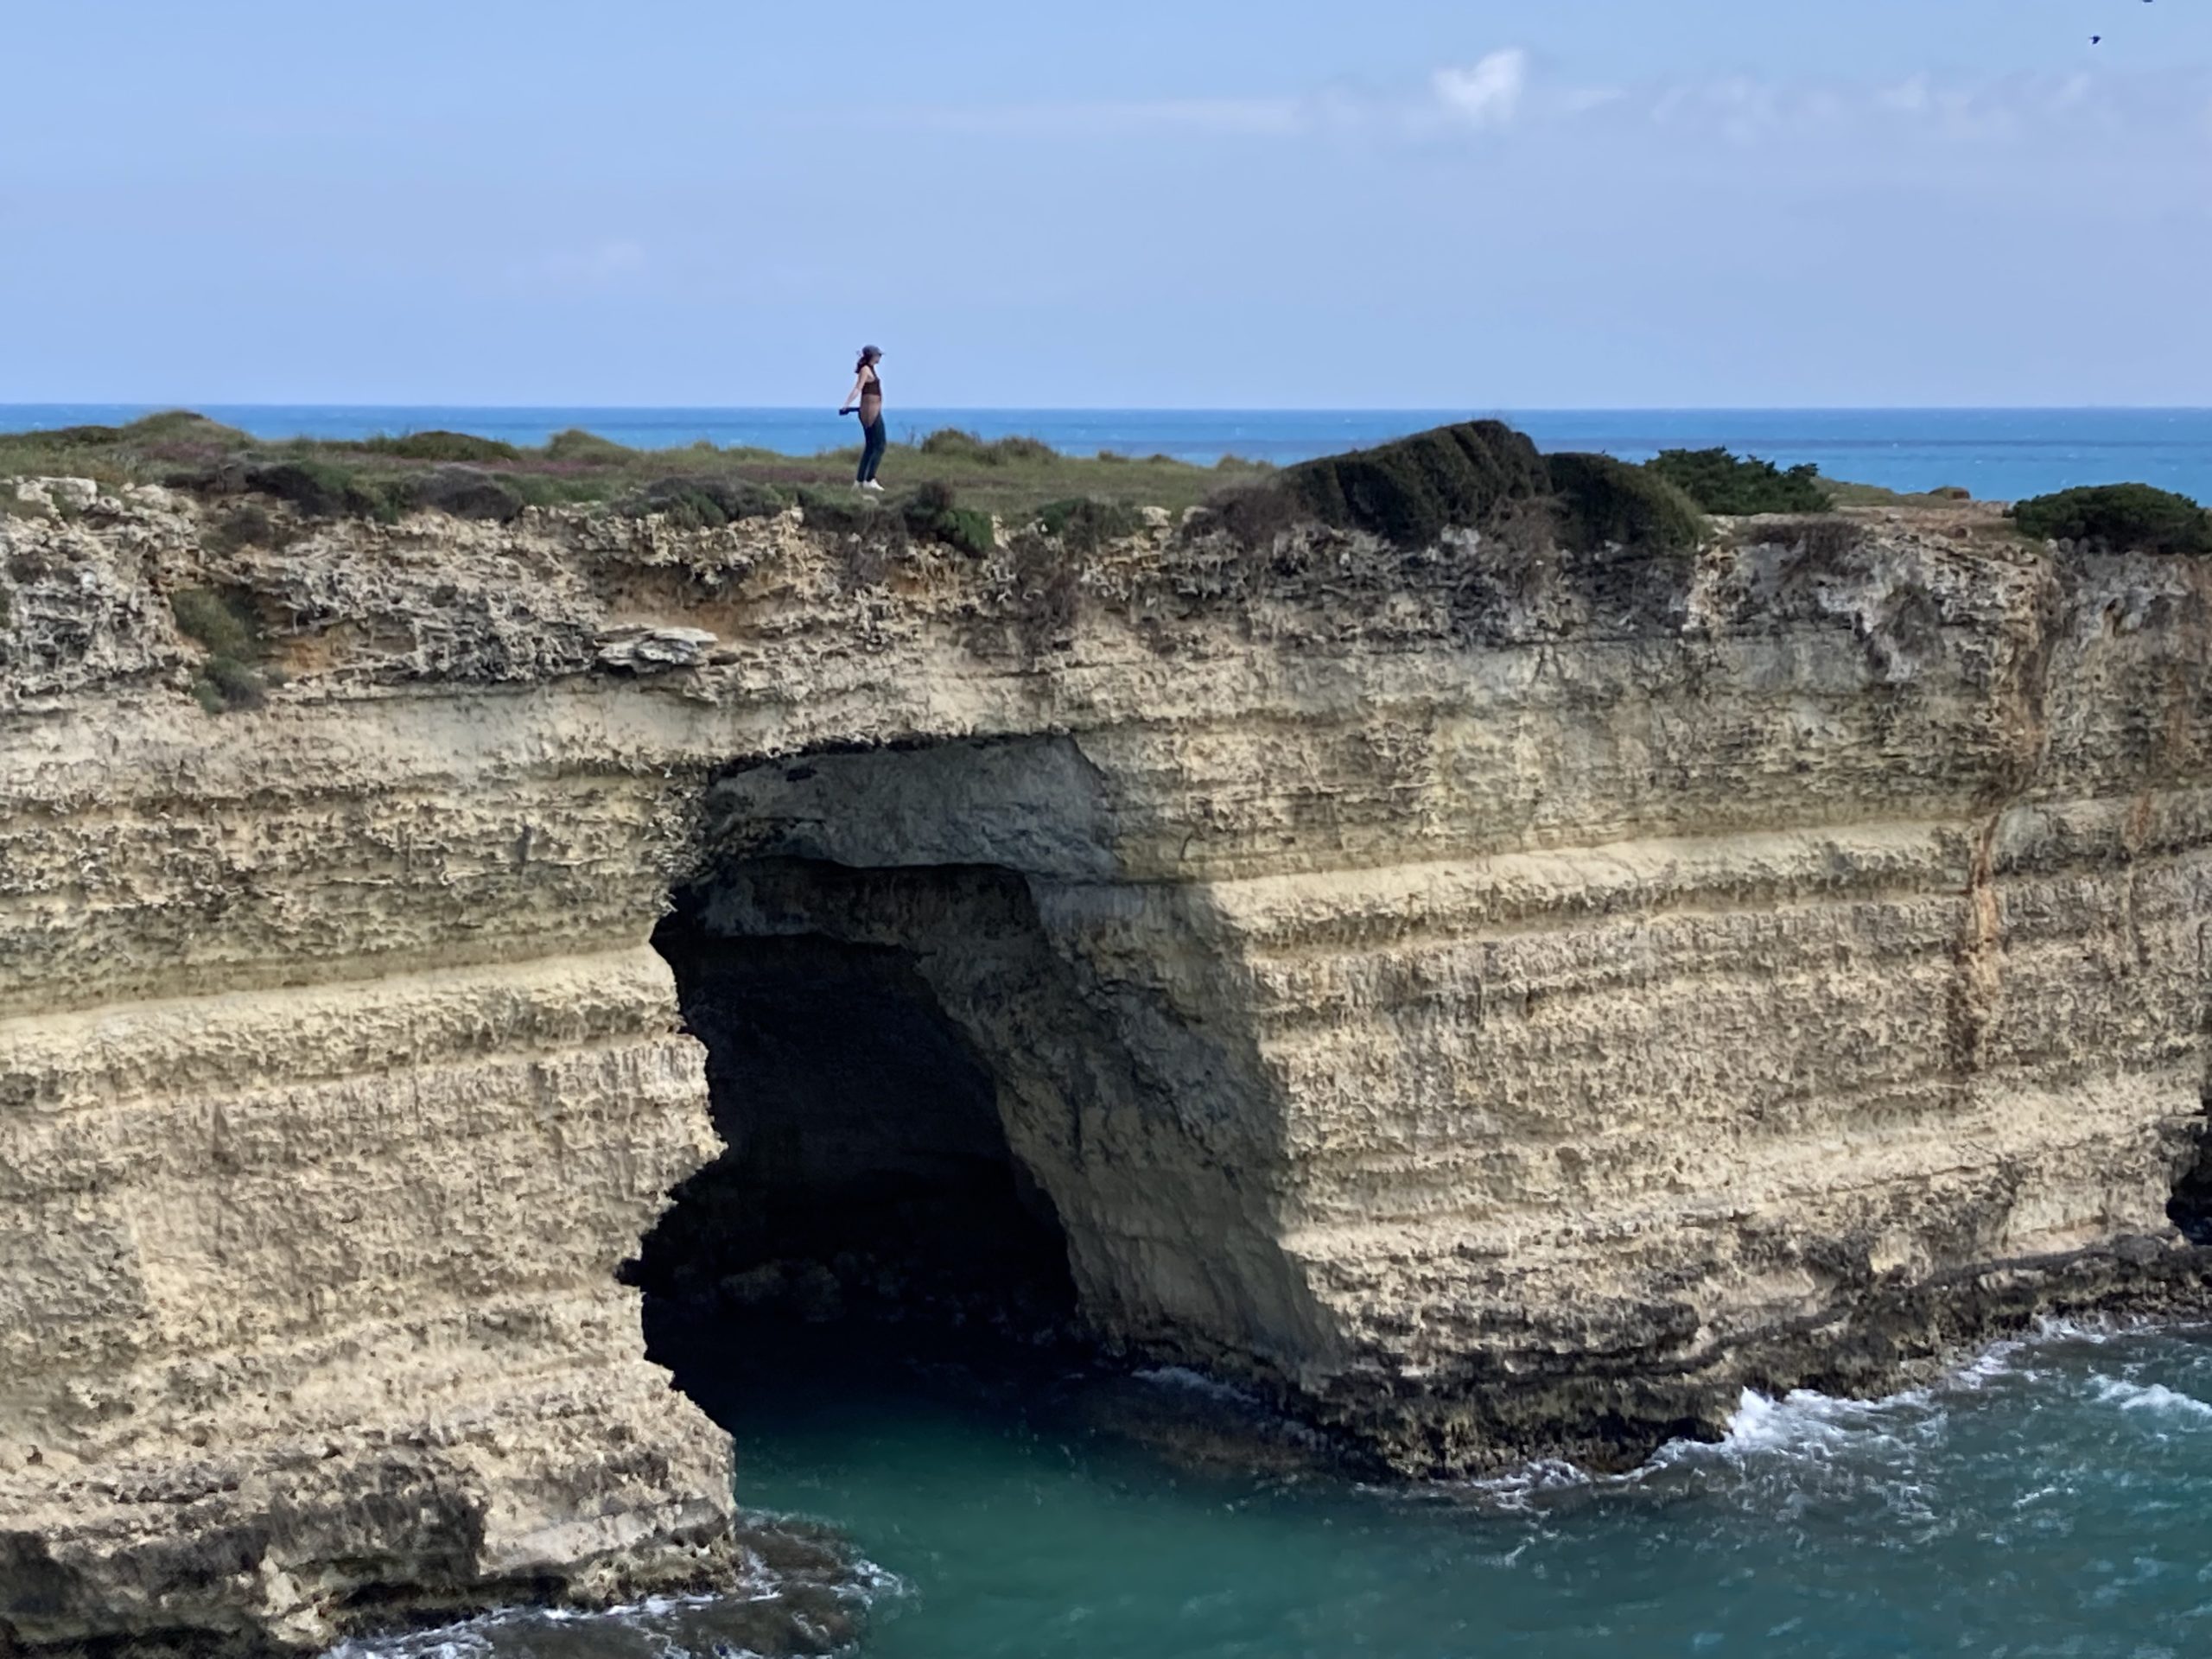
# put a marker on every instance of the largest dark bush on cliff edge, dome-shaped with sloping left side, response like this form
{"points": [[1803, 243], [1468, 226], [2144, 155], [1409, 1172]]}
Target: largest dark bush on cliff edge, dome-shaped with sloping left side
{"points": [[1406, 492]]}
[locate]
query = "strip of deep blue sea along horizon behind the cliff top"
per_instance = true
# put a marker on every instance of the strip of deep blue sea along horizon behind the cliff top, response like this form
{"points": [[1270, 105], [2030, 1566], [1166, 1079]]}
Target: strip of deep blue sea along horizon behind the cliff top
{"points": [[1999, 455]]}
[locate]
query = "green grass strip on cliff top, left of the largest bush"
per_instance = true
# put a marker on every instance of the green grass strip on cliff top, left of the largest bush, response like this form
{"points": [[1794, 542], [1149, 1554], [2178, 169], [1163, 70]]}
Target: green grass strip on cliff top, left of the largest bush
{"points": [[490, 479]]}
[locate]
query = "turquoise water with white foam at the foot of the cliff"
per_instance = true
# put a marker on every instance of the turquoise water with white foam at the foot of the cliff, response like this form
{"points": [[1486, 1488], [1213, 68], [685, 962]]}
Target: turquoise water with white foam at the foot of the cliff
{"points": [[2056, 1499]]}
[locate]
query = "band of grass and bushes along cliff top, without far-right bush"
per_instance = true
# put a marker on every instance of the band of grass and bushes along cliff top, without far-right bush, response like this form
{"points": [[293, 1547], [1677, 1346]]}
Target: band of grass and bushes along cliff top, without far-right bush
{"points": [[943, 486]]}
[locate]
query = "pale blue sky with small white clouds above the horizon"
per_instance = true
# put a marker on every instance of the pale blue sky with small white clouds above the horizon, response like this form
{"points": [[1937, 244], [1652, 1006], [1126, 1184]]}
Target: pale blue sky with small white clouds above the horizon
{"points": [[1406, 205]]}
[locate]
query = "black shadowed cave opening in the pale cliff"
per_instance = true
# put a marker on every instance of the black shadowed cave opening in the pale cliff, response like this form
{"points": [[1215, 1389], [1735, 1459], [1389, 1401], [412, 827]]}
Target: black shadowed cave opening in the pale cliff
{"points": [[868, 1182]]}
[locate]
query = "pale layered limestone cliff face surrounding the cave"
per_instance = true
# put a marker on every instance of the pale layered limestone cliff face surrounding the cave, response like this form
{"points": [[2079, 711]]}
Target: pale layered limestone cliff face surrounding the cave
{"points": [[1496, 1001]]}
